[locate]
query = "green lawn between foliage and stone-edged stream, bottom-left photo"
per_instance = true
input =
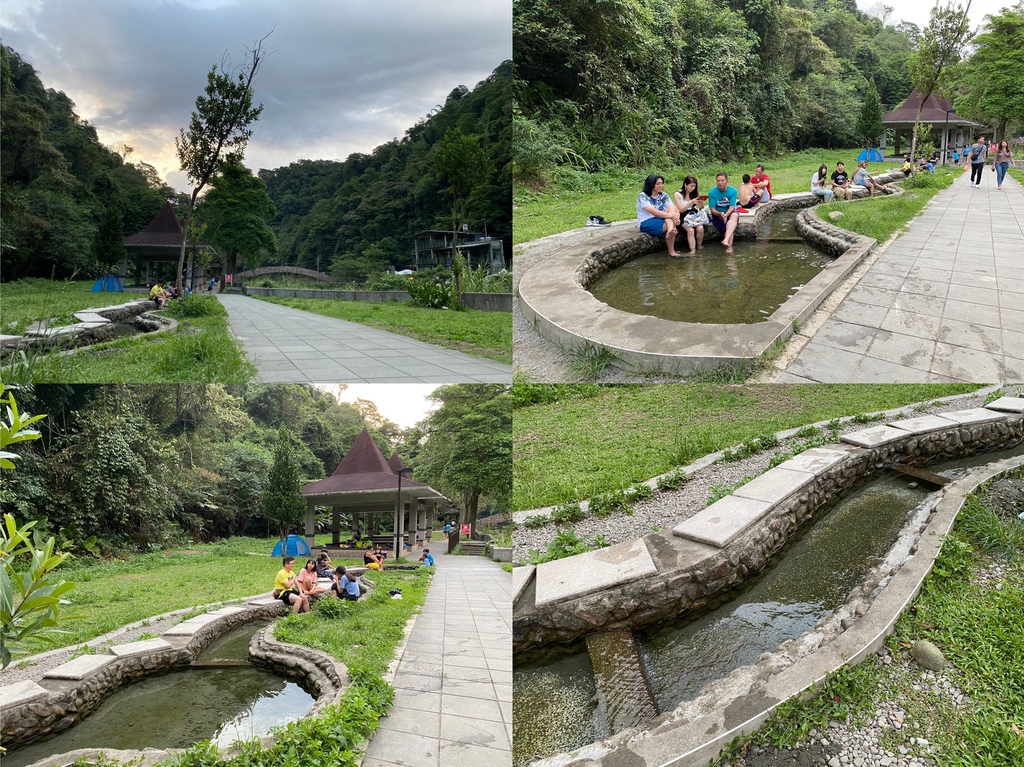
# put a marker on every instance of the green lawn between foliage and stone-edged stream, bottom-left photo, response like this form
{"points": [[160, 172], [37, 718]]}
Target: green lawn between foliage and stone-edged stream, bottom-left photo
{"points": [[108, 595]]}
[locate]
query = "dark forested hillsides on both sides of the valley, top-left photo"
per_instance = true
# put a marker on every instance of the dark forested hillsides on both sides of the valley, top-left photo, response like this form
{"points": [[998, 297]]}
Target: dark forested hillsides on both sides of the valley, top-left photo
{"points": [[67, 200]]}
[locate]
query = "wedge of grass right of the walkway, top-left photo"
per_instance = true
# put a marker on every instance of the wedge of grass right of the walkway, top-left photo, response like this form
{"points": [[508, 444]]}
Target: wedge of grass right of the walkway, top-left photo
{"points": [[487, 334]]}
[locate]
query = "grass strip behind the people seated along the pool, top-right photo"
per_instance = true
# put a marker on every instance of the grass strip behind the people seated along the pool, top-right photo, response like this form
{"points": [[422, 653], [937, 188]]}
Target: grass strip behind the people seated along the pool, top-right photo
{"points": [[614, 194]]}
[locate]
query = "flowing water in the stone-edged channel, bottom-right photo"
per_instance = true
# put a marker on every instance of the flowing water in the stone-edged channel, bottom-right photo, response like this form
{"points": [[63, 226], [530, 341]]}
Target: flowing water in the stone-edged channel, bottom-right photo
{"points": [[556, 705]]}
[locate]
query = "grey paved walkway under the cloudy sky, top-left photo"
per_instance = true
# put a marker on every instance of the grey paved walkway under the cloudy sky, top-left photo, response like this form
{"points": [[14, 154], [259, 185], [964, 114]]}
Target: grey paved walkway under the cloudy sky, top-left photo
{"points": [[293, 347]]}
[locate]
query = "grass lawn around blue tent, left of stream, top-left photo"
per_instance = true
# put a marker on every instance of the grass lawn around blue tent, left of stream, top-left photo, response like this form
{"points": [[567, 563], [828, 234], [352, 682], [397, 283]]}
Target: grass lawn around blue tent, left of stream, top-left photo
{"points": [[27, 302]]}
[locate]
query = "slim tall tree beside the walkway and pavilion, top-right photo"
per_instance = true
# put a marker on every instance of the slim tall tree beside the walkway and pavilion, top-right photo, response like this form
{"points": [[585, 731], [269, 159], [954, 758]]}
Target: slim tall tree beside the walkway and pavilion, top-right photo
{"points": [[941, 48]]}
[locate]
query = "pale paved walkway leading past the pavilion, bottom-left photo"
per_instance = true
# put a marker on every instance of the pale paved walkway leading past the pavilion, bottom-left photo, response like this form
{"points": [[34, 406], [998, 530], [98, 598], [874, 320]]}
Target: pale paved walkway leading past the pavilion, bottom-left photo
{"points": [[453, 704]]}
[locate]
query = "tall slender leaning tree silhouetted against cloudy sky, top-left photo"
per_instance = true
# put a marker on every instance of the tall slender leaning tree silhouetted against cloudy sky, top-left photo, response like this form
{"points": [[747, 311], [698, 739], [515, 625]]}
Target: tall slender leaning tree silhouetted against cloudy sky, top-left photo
{"points": [[220, 124]]}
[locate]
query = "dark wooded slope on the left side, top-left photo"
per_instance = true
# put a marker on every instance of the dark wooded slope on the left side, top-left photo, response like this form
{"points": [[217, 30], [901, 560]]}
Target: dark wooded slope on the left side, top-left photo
{"points": [[64, 197]]}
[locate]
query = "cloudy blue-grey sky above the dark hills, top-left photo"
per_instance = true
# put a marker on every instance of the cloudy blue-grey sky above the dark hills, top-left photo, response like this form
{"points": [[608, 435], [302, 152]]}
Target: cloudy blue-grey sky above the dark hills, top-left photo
{"points": [[346, 76]]}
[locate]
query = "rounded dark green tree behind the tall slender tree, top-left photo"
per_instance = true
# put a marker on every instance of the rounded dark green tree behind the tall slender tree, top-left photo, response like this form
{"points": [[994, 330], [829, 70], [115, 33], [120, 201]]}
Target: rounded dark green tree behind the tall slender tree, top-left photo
{"points": [[237, 215]]}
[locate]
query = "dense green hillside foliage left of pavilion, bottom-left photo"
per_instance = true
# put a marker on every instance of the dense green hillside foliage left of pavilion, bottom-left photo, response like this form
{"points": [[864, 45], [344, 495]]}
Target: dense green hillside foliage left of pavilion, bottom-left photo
{"points": [[148, 465]]}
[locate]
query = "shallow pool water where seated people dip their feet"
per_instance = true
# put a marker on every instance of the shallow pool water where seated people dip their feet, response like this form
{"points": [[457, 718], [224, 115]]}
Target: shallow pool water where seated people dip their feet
{"points": [[713, 286]]}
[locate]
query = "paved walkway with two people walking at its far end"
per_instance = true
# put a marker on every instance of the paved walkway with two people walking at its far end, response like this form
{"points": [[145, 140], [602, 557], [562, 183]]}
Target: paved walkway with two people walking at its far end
{"points": [[945, 303]]}
